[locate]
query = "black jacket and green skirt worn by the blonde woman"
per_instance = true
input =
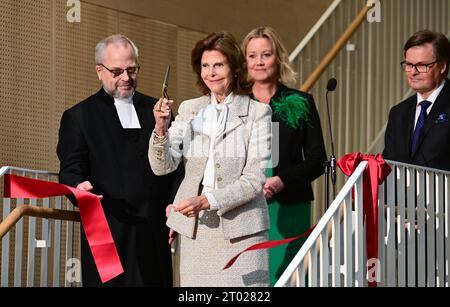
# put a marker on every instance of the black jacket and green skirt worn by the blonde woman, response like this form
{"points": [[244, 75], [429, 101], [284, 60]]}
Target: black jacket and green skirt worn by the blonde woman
{"points": [[299, 160]]}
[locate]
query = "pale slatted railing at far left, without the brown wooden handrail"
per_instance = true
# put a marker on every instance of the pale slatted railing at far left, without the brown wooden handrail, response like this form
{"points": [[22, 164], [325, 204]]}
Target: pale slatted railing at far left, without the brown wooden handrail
{"points": [[41, 247]]}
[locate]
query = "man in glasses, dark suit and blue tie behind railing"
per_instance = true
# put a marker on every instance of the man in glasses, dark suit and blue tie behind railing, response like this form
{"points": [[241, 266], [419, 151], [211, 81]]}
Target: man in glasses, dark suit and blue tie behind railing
{"points": [[418, 130]]}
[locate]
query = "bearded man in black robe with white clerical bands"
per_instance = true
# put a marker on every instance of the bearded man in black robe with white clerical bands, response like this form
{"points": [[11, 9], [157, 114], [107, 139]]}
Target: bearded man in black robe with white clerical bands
{"points": [[103, 146]]}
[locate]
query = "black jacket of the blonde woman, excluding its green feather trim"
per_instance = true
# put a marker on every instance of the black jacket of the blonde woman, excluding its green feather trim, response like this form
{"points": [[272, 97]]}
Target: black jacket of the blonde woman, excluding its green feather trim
{"points": [[301, 154]]}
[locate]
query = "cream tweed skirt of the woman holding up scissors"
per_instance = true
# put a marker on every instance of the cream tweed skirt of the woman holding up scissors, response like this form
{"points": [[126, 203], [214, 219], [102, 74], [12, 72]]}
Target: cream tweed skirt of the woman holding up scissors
{"points": [[202, 259]]}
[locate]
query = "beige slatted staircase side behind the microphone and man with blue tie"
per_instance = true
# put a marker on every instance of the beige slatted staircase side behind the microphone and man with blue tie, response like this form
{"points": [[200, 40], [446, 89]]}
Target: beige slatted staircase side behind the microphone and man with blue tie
{"points": [[370, 80]]}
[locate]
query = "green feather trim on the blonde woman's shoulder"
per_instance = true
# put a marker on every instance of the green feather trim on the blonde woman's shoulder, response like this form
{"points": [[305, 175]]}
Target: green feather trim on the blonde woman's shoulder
{"points": [[292, 108]]}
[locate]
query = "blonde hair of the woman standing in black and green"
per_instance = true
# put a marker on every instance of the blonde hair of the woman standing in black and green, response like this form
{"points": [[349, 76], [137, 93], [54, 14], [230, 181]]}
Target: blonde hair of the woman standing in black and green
{"points": [[287, 75]]}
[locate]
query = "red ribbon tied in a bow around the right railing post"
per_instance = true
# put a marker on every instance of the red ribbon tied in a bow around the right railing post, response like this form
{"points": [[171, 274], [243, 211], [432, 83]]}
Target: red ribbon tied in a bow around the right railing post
{"points": [[376, 172]]}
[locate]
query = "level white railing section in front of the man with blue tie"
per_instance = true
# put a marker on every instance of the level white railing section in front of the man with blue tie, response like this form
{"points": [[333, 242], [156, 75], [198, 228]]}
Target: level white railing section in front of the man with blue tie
{"points": [[416, 243]]}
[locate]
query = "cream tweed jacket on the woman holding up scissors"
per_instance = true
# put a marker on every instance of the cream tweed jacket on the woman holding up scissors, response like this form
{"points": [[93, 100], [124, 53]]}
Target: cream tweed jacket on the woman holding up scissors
{"points": [[241, 155]]}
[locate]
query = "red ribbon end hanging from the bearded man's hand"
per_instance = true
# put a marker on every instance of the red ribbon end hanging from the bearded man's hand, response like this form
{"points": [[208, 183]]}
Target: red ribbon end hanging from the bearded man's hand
{"points": [[92, 217]]}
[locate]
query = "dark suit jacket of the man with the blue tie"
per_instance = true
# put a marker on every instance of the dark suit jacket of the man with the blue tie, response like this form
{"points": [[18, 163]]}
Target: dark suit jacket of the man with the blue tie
{"points": [[434, 142]]}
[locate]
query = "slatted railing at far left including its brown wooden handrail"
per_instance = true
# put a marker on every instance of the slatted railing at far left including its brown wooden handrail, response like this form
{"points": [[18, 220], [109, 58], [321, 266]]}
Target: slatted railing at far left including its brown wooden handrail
{"points": [[52, 221]]}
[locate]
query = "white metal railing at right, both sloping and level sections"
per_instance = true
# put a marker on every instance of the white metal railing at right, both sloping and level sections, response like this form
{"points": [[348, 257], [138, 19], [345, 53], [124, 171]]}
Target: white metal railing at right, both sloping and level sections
{"points": [[413, 241]]}
